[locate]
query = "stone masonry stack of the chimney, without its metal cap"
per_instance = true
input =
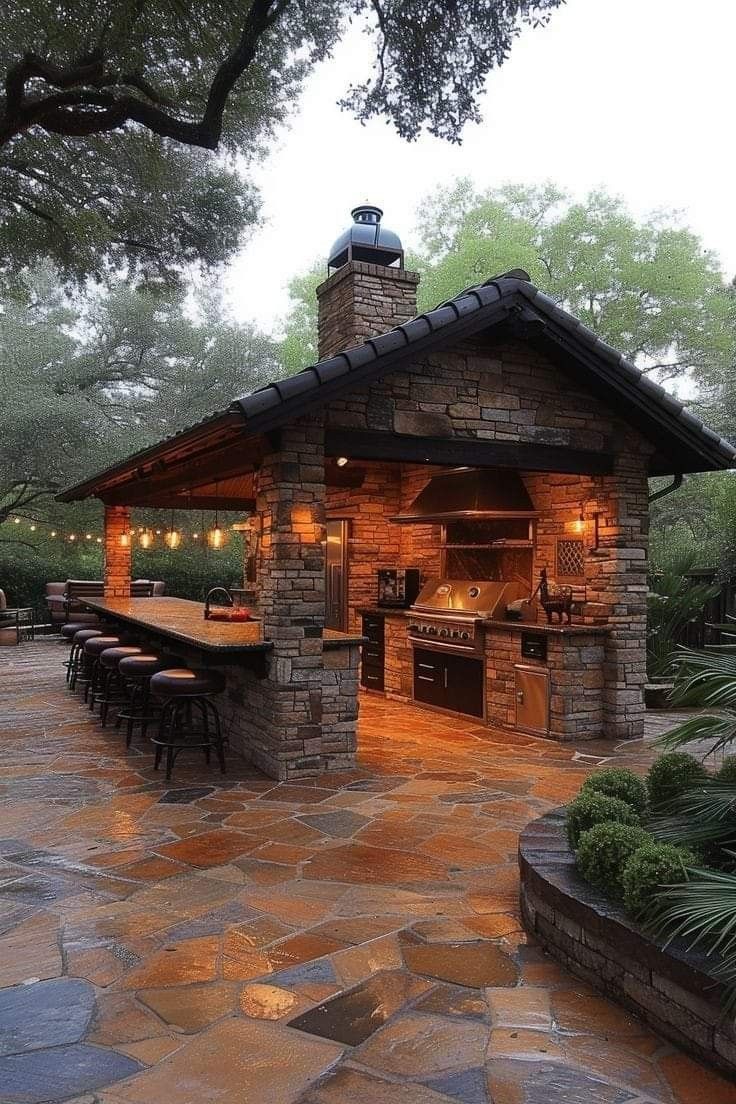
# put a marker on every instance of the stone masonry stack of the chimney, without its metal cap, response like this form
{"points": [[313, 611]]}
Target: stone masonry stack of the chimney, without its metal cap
{"points": [[361, 301]]}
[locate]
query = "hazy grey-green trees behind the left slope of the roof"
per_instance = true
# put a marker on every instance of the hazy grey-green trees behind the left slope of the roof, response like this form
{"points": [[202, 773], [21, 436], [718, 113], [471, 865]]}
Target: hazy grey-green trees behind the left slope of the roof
{"points": [[90, 379]]}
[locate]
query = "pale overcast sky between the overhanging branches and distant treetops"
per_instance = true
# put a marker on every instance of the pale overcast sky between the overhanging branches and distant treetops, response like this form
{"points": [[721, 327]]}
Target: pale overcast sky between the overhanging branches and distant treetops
{"points": [[634, 95]]}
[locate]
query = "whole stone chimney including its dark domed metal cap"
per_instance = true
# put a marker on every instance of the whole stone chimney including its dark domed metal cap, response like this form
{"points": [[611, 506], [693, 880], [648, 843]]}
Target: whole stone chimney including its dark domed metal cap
{"points": [[369, 291]]}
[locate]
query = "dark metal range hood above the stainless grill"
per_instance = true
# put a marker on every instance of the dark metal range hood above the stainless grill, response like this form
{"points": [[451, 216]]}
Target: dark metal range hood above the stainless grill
{"points": [[471, 493]]}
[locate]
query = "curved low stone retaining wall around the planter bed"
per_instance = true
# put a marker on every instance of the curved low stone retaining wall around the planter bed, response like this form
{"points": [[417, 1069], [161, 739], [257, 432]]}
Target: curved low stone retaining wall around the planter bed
{"points": [[671, 990]]}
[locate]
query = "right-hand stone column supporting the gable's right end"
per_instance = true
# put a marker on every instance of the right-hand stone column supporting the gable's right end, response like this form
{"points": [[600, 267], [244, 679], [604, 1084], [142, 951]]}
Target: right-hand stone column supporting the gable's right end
{"points": [[617, 592]]}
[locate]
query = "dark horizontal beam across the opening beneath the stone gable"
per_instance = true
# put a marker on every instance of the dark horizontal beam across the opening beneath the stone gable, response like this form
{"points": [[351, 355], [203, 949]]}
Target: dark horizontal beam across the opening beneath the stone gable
{"points": [[462, 452]]}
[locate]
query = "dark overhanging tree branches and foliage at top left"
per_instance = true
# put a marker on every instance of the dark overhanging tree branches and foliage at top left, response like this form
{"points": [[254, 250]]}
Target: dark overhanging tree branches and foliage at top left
{"points": [[108, 104]]}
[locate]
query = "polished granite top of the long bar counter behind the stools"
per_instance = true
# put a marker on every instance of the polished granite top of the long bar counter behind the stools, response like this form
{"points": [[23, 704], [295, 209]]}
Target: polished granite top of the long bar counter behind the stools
{"points": [[184, 621]]}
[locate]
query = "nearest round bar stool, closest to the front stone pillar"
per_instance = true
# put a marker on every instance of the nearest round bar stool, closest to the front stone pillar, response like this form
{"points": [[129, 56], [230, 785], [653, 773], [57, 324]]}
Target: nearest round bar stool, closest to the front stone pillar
{"points": [[185, 691]]}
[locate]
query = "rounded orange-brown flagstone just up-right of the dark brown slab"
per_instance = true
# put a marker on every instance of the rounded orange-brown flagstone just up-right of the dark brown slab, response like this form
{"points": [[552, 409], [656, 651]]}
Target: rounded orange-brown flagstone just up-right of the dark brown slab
{"points": [[473, 965]]}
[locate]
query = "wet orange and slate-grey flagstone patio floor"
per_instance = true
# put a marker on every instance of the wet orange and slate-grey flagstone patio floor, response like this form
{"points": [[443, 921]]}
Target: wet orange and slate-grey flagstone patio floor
{"points": [[353, 940]]}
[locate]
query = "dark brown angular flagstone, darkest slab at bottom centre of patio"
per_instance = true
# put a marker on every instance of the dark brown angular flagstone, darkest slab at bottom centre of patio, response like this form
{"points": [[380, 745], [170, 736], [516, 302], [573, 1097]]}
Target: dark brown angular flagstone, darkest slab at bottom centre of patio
{"points": [[353, 1017]]}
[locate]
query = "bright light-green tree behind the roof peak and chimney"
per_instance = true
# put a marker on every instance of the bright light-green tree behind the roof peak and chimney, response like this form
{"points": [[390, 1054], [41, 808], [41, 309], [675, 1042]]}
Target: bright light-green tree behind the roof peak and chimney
{"points": [[648, 288]]}
